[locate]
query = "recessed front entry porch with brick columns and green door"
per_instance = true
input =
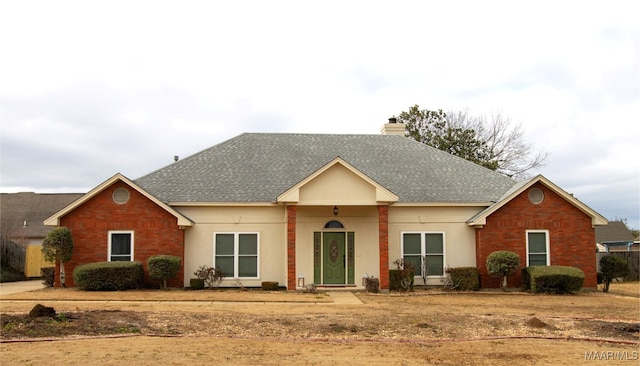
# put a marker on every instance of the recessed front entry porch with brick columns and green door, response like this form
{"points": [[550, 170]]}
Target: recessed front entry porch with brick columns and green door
{"points": [[337, 252]]}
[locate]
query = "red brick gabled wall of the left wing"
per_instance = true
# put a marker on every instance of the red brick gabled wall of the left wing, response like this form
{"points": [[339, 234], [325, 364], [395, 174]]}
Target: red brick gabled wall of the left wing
{"points": [[155, 231]]}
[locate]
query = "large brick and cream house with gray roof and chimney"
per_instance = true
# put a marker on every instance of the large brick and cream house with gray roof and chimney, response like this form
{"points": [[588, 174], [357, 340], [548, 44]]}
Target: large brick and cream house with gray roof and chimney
{"points": [[331, 209]]}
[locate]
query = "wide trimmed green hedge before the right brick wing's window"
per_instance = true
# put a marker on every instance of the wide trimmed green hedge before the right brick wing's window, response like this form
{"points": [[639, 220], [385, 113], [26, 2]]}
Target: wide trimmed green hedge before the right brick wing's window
{"points": [[552, 279]]}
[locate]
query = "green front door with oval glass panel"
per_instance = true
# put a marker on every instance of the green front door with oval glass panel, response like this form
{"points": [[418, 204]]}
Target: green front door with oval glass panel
{"points": [[333, 259]]}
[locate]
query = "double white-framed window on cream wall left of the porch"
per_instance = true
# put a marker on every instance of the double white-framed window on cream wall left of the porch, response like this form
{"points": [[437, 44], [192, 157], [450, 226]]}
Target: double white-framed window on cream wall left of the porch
{"points": [[236, 254]]}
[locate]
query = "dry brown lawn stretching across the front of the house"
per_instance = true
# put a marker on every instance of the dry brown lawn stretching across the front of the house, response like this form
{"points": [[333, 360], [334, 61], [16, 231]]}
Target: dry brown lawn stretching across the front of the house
{"points": [[231, 327]]}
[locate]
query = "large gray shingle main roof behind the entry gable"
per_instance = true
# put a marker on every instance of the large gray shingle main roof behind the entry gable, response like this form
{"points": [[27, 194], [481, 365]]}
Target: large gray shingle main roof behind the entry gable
{"points": [[257, 167]]}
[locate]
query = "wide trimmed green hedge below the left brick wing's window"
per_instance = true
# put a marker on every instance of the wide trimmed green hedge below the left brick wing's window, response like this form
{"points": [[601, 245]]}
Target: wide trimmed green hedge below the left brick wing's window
{"points": [[109, 276]]}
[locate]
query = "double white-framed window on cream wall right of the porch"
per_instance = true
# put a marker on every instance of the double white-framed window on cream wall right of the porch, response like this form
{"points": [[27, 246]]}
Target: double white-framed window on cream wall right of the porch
{"points": [[426, 248]]}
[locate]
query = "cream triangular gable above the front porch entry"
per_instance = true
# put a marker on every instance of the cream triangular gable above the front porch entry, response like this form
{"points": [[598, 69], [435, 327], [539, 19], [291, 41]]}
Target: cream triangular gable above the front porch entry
{"points": [[337, 183]]}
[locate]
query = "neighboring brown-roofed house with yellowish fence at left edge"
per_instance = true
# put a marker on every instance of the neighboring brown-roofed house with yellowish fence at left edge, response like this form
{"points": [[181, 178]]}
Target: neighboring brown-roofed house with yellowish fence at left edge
{"points": [[21, 223]]}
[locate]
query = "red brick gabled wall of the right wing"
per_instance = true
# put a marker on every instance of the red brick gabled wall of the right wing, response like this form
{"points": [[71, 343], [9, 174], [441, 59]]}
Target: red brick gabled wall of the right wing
{"points": [[571, 235]]}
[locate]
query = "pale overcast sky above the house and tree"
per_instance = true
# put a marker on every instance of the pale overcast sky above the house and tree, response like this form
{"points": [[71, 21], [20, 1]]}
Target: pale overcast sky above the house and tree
{"points": [[89, 89]]}
